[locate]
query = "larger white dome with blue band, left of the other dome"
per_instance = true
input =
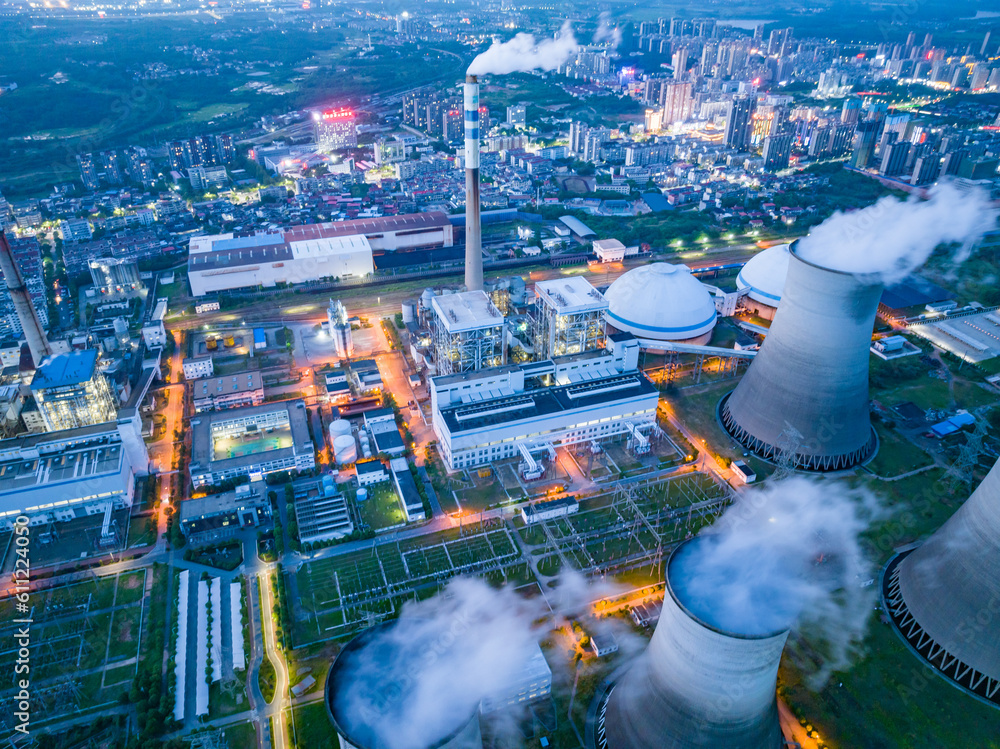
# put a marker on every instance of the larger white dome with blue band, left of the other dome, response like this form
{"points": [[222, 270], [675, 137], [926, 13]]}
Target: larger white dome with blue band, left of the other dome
{"points": [[661, 302]]}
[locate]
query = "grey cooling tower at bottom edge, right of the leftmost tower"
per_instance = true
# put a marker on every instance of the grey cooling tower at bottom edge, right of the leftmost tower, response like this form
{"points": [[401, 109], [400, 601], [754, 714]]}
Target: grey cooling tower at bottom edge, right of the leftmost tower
{"points": [[696, 685]]}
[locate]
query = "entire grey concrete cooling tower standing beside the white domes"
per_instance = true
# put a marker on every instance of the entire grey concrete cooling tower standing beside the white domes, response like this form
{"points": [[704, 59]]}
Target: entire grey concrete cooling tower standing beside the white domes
{"points": [[807, 389]]}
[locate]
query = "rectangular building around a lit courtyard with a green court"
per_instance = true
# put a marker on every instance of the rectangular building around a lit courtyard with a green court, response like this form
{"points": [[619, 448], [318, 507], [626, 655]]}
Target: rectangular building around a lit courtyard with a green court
{"points": [[251, 441]]}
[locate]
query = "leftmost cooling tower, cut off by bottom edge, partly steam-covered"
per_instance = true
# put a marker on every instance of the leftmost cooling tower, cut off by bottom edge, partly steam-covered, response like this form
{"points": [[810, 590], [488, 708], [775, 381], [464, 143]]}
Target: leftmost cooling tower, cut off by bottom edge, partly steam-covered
{"points": [[369, 692]]}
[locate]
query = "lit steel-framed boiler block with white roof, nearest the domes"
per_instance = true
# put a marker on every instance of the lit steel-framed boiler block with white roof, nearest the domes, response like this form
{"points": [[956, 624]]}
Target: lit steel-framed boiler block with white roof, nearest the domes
{"points": [[568, 317]]}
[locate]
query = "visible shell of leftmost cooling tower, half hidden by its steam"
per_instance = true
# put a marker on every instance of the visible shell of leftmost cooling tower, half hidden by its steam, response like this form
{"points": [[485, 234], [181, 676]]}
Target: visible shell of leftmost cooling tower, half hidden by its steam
{"points": [[356, 704]]}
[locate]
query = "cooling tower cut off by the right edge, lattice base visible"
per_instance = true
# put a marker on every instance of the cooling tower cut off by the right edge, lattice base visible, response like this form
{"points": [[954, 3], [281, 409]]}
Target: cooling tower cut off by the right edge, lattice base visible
{"points": [[944, 596]]}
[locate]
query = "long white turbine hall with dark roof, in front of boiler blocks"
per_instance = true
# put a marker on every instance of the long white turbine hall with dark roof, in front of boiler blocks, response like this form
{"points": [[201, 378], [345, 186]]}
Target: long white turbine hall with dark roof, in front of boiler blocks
{"points": [[502, 412]]}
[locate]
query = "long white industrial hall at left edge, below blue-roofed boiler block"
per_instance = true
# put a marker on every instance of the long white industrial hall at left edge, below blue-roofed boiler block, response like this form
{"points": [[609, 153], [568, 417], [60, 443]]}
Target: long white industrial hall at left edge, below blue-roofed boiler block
{"points": [[58, 476]]}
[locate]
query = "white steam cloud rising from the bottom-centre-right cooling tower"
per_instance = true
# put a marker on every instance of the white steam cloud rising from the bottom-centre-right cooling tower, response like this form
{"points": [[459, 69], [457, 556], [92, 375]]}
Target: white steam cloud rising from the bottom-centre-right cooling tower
{"points": [[787, 556]]}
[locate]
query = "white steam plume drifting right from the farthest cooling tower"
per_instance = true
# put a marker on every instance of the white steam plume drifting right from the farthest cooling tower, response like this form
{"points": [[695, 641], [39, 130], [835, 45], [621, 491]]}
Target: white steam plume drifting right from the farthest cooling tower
{"points": [[892, 238]]}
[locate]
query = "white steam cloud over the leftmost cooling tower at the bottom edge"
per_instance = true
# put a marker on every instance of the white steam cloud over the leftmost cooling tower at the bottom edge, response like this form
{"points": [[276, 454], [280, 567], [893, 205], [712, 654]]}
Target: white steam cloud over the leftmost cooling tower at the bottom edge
{"points": [[419, 680]]}
